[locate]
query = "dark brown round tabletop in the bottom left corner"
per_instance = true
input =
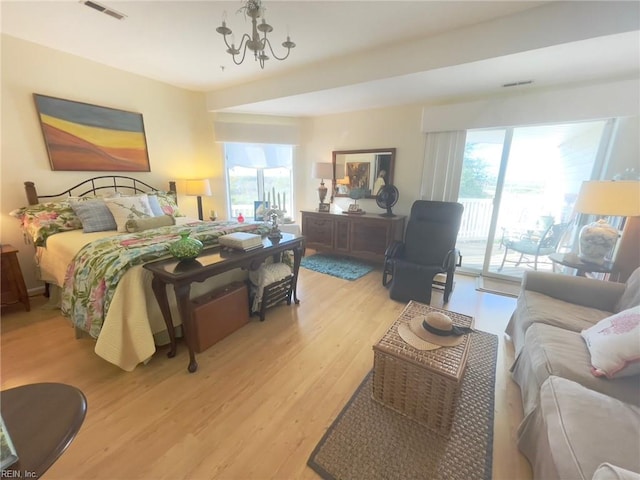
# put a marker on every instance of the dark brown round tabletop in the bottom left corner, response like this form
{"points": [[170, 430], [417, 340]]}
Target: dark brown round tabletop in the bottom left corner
{"points": [[42, 419]]}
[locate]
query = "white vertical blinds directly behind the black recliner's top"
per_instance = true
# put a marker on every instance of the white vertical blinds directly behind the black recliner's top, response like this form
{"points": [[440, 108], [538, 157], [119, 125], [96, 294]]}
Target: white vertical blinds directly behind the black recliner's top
{"points": [[442, 167]]}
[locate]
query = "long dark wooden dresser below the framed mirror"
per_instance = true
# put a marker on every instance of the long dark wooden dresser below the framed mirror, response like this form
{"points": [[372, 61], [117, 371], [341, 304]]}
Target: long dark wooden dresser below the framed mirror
{"points": [[361, 236]]}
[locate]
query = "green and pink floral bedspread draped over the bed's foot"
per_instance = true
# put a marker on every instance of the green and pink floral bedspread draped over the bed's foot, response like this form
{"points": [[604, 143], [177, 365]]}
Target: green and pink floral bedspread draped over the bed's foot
{"points": [[91, 278]]}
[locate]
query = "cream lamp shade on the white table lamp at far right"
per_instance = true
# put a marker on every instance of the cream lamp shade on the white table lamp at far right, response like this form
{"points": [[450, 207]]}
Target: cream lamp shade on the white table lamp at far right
{"points": [[612, 198]]}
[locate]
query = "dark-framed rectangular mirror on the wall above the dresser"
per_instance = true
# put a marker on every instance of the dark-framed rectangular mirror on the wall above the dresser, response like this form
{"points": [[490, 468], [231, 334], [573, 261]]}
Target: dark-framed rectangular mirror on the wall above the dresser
{"points": [[365, 170]]}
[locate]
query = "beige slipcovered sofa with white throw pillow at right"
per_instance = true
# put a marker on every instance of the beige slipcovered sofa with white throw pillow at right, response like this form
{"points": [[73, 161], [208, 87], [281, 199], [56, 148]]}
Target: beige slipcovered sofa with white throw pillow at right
{"points": [[577, 363]]}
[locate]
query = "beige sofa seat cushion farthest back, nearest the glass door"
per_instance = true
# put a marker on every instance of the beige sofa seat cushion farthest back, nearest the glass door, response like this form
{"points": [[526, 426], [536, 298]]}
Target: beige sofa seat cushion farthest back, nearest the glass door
{"points": [[533, 307]]}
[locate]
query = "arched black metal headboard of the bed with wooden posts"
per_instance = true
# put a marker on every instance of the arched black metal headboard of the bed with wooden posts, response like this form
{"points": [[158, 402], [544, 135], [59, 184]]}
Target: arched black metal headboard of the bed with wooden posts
{"points": [[114, 183]]}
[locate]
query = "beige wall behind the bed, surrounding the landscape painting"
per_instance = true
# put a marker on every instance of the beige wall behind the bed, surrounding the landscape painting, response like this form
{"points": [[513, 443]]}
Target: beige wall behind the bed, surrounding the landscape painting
{"points": [[179, 130]]}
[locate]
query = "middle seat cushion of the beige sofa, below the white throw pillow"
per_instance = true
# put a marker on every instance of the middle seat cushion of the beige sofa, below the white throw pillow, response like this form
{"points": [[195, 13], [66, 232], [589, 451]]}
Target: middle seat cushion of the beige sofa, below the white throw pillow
{"points": [[555, 351]]}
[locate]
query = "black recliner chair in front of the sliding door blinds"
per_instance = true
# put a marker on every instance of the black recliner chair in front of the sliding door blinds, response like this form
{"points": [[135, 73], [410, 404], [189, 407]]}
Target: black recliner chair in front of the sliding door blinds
{"points": [[428, 249]]}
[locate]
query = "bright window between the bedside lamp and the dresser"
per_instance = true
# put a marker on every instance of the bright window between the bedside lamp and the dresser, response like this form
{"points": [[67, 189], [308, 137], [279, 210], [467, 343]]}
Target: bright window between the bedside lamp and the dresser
{"points": [[258, 172]]}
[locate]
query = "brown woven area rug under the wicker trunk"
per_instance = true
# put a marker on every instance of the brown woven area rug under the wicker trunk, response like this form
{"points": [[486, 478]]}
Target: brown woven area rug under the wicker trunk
{"points": [[370, 441]]}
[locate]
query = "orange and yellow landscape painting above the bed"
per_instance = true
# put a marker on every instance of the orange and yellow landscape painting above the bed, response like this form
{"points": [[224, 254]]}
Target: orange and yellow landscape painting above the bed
{"points": [[81, 136]]}
